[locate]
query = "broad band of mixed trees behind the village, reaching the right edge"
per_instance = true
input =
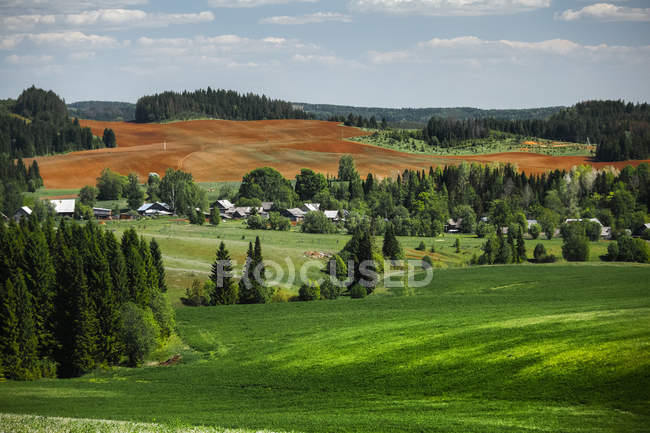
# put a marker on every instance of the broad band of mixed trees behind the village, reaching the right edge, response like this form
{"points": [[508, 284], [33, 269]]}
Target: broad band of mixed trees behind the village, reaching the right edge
{"points": [[419, 203]]}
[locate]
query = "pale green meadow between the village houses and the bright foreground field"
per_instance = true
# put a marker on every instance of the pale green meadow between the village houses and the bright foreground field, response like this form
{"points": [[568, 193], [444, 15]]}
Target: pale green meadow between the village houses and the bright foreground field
{"points": [[189, 250]]}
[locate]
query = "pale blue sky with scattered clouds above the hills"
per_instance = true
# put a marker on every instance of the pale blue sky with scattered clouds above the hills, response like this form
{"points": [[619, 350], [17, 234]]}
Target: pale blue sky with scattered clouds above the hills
{"points": [[381, 53]]}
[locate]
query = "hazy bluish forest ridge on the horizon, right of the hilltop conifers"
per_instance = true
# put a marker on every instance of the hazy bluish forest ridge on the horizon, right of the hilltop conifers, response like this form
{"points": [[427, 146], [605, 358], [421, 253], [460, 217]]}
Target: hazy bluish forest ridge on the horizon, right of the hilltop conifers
{"points": [[418, 117]]}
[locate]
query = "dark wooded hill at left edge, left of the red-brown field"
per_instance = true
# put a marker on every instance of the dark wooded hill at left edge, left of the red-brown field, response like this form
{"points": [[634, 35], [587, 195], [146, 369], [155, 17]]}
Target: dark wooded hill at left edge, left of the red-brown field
{"points": [[37, 123]]}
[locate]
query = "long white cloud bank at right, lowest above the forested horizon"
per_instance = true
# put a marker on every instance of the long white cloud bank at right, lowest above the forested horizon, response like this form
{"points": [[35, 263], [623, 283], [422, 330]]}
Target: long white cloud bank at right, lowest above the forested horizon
{"points": [[470, 50]]}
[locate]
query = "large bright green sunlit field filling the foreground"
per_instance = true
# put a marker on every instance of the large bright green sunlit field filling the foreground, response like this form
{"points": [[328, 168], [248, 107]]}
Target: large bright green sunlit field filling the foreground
{"points": [[547, 348]]}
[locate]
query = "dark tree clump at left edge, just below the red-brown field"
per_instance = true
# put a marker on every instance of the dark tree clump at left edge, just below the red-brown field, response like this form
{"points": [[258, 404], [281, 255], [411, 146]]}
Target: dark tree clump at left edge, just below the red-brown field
{"points": [[15, 179]]}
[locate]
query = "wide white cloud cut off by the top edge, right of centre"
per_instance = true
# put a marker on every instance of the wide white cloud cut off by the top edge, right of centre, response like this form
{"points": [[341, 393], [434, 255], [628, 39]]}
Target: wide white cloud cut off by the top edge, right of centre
{"points": [[449, 7]]}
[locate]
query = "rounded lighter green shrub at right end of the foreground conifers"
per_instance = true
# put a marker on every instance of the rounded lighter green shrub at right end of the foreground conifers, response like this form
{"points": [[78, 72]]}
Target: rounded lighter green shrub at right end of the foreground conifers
{"points": [[138, 332]]}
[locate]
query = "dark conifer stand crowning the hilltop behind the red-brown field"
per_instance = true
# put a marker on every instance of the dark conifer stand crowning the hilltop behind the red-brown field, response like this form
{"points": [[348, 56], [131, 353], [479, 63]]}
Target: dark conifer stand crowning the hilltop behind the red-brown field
{"points": [[216, 104]]}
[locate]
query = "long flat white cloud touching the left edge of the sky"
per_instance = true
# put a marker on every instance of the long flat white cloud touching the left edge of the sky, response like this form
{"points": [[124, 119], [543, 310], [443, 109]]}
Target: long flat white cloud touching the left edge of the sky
{"points": [[60, 39]]}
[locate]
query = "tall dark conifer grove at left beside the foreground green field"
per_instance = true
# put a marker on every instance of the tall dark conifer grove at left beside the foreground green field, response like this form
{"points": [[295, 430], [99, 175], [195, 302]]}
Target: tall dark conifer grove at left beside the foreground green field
{"points": [[73, 298]]}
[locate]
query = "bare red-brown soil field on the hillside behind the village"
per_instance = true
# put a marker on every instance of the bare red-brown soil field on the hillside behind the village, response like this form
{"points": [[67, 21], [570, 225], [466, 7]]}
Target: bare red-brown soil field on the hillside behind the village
{"points": [[219, 150]]}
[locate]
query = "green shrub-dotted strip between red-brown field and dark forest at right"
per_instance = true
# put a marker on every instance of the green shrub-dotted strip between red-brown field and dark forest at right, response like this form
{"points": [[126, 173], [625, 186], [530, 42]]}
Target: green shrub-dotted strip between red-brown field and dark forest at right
{"points": [[499, 142]]}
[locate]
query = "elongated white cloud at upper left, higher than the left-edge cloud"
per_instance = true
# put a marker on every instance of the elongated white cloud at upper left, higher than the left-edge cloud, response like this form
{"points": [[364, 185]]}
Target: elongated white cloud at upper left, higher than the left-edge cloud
{"points": [[135, 18]]}
